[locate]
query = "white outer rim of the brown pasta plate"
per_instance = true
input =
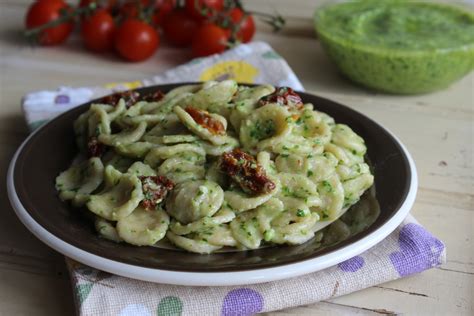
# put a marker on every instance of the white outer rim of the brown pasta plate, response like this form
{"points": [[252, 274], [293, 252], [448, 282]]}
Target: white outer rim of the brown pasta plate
{"points": [[220, 278]]}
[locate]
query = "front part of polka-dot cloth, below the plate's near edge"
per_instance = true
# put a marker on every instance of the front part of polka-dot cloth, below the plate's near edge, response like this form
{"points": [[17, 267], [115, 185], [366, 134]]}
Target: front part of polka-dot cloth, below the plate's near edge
{"points": [[409, 249]]}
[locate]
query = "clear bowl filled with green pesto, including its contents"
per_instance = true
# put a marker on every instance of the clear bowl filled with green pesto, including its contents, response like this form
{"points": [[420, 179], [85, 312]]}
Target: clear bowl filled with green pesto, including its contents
{"points": [[403, 47]]}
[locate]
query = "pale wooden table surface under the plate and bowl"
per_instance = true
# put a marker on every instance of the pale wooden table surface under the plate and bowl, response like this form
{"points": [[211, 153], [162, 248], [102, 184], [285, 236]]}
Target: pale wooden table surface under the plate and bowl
{"points": [[437, 129]]}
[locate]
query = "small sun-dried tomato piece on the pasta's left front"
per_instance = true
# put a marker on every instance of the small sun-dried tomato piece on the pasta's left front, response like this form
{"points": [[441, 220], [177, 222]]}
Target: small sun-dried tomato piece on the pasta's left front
{"points": [[155, 189]]}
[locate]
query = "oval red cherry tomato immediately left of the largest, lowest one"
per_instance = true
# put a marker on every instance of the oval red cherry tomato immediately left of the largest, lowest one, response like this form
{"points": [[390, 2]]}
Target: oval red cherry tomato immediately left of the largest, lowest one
{"points": [[97, 31]]}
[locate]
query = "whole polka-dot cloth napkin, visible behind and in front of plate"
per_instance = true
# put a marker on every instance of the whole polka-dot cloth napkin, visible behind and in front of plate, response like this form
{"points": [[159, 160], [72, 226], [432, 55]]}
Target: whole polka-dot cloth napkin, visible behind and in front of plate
{"points": [[409, 249]]}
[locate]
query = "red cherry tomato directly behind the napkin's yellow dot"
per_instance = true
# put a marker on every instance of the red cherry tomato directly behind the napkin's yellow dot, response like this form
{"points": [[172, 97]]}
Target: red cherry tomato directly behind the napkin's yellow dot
{"points": [[209, 39]]}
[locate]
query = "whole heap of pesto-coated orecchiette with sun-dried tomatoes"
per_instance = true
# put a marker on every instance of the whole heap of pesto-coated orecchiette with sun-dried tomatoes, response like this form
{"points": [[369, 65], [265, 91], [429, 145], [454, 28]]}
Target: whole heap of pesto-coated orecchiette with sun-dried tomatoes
{"points": [[214, 165]]}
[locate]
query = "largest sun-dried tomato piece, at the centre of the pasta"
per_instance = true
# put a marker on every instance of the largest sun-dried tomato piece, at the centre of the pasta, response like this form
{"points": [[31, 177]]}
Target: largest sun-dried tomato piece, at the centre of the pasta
{"points": [[244, 169]]}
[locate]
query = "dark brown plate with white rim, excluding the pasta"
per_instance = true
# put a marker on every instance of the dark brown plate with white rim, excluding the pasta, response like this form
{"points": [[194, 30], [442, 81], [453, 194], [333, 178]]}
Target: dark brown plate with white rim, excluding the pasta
{"points": [[51, 149]]}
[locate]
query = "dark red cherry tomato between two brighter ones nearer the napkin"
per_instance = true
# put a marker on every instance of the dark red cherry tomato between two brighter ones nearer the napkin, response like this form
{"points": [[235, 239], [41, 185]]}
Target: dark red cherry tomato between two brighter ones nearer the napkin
{"points": [[179, 28]]}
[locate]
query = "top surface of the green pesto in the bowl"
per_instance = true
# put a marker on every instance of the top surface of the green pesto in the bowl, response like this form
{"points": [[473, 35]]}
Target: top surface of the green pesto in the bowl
{"points": [[399, 25]]}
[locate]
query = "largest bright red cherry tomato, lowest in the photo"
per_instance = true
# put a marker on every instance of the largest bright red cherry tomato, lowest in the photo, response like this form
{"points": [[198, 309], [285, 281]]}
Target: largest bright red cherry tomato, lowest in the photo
{"points": [[136, 40]]}
